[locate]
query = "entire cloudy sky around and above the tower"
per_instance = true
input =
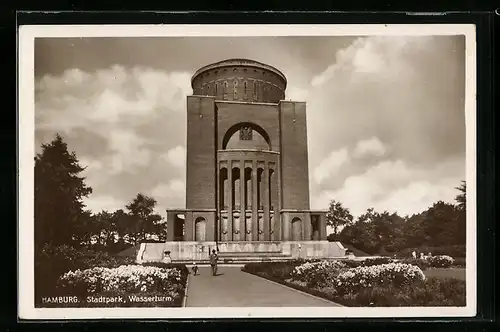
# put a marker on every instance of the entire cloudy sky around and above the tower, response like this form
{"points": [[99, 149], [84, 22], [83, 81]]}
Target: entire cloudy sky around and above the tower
{"points": [[386, 126]]}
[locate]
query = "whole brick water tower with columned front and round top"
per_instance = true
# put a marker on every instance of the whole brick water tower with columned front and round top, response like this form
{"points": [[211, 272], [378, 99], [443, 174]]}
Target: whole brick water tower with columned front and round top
{"points": [[247, 162]]}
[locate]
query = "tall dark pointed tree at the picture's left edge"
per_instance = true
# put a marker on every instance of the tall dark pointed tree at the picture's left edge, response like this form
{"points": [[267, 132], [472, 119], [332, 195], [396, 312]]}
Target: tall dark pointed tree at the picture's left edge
{"points": [[59, 190]]}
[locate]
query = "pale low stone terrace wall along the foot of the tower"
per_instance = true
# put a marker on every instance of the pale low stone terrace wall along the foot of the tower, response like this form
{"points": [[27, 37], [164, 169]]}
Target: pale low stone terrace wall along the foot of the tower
{"points": [[200, 251]]}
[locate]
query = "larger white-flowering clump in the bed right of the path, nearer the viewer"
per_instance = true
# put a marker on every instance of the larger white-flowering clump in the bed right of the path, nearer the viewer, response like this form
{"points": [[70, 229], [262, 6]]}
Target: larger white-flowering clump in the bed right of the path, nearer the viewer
{"points": [[396, 274]]}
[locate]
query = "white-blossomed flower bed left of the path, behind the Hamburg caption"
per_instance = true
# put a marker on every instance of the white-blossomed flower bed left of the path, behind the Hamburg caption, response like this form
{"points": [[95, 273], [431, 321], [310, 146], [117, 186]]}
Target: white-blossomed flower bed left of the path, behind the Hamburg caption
{"points": [[131, 285]]}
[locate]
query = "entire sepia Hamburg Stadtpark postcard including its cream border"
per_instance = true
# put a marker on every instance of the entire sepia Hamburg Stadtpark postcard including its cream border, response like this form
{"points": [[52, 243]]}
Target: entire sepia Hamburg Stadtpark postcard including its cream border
{"points": [[247, 171]]}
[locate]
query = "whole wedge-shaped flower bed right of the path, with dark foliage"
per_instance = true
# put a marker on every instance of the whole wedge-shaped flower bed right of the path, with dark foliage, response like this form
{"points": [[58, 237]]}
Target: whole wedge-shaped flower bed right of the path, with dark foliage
{"points": [[358, 283]]}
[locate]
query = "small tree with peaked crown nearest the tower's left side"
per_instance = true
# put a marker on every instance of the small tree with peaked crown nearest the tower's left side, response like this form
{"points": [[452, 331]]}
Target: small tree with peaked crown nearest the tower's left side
{"points": [[142, 221]]}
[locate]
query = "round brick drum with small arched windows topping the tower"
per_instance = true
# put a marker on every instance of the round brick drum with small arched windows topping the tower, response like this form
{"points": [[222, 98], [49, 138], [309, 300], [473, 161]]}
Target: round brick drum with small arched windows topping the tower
{"points": [[240, 80]]}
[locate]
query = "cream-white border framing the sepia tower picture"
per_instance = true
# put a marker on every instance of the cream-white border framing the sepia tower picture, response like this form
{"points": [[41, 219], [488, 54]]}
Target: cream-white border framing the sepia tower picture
{"points": [[26, 131]]}
